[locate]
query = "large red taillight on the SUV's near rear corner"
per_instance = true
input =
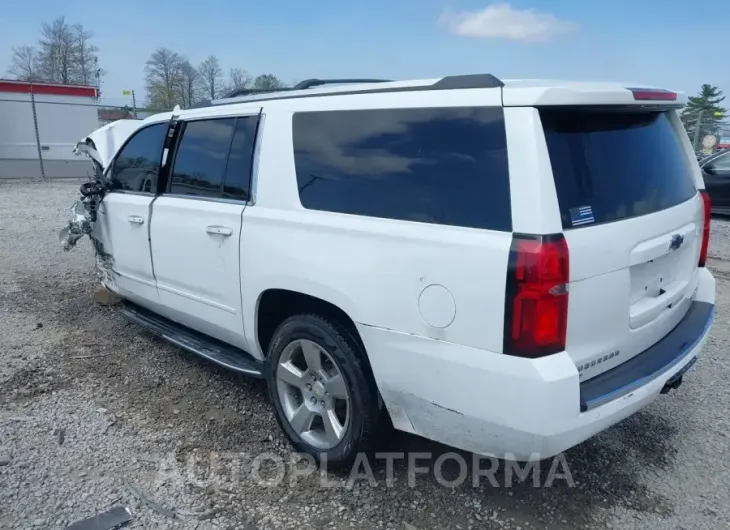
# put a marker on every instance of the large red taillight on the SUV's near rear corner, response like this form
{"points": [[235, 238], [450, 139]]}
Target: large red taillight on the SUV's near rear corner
{"points": [[536, 301]]}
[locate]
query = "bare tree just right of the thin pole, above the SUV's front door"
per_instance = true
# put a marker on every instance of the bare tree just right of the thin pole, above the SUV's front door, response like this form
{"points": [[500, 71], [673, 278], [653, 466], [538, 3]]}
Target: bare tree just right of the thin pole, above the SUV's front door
{"points": [[163, 73]]}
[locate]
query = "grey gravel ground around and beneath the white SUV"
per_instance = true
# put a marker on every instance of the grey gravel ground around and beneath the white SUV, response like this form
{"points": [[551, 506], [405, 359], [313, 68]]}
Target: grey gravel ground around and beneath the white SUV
{"points": [[95, 413]]}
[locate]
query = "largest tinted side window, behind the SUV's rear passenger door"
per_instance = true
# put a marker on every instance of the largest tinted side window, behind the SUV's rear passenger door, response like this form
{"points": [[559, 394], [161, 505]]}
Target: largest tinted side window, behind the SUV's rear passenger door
{"points": [[437, 165]]}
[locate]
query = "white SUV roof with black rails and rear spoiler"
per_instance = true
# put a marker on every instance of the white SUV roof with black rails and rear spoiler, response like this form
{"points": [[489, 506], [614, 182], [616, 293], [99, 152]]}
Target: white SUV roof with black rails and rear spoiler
{"points": [[516, 92]]}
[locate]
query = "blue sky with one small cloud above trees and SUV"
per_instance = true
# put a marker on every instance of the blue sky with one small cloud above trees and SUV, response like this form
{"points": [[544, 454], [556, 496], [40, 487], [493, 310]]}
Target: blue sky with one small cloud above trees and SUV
{"points": [[673, 43]]}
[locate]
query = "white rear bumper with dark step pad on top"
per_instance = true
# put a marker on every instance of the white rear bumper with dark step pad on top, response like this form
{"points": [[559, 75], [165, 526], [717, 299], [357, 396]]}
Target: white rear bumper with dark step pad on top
{"points": [[521, 409]]}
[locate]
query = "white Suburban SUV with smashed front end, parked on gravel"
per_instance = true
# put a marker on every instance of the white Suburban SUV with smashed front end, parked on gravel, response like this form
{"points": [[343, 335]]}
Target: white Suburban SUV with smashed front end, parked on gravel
{"points": [[504, 267]]}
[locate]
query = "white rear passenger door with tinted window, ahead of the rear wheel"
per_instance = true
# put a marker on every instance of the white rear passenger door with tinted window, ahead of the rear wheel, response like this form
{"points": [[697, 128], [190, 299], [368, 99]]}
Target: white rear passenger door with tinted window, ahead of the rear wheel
{"points": [[196, 226]]}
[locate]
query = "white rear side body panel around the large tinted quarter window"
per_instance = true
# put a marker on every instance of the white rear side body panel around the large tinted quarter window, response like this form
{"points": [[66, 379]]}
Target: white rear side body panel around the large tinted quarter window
{"points": [[383, 273]]}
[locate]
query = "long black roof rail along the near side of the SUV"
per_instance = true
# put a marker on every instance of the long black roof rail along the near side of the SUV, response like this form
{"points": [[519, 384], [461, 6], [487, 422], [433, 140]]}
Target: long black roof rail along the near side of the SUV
{"points": [[454, 82]]}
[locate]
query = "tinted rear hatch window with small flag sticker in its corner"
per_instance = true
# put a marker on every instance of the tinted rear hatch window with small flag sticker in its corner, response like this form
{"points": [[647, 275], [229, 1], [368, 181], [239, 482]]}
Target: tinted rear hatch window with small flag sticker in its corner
{"points": [[614, 165]]}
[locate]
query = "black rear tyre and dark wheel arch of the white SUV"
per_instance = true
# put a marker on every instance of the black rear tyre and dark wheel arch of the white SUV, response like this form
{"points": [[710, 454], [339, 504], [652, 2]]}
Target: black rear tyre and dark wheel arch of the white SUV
{"points": [[285, 317]]}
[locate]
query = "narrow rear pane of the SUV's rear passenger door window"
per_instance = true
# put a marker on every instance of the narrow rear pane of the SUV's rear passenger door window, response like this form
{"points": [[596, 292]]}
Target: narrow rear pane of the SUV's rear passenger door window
{"points": [[240, 160]]}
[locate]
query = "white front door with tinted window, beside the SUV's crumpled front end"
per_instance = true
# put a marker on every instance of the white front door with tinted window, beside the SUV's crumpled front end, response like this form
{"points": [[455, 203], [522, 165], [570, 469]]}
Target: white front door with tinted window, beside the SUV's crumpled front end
{"points": [[124, 216]]}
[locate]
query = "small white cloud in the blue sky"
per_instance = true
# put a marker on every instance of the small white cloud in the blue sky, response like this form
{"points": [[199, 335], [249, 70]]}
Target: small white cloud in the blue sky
{"points": [[501, 21]]}
